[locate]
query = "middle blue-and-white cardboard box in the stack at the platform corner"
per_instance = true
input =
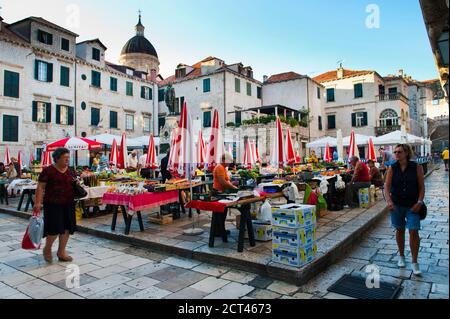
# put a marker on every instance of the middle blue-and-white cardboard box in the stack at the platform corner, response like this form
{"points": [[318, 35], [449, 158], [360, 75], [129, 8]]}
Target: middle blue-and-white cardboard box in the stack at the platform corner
{"points": [[293, 238]]}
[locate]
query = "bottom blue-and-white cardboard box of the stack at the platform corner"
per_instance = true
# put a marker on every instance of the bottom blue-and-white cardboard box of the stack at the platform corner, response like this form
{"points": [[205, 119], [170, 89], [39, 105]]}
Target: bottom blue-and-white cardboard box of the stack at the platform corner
{"points": [[295, 257]]}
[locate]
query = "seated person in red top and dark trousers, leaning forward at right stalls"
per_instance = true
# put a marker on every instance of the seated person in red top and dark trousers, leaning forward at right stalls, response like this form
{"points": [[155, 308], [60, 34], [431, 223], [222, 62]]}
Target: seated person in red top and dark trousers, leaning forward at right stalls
{"points": [[360, 179]]}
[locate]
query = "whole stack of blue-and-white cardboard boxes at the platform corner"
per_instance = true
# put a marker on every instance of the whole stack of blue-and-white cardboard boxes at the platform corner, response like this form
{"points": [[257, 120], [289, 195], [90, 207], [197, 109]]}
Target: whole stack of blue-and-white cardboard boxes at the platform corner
{"points": [[294, 234]]}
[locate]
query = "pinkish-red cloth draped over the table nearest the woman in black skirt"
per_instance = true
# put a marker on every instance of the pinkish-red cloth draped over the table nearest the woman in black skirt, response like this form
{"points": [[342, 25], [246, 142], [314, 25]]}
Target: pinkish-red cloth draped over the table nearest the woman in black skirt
{"points": [[137, 203]]}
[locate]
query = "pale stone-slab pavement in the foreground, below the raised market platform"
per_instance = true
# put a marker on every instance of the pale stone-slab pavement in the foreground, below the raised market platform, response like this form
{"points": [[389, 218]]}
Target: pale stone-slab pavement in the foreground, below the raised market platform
{"points": [[110, 269]]}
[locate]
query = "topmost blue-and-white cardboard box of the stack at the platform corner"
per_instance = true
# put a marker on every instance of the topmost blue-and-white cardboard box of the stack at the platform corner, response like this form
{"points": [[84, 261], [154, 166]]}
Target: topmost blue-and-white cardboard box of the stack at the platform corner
{"points": [[294, 215]]}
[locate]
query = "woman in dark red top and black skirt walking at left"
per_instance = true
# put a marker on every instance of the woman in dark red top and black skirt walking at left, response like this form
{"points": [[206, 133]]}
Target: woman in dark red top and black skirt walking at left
{"points": [[55, 191]]}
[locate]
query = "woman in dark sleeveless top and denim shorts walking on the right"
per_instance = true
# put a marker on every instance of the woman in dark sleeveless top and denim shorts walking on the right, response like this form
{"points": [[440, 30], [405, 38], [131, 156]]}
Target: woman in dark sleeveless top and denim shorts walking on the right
{"points": [[405, 191]]}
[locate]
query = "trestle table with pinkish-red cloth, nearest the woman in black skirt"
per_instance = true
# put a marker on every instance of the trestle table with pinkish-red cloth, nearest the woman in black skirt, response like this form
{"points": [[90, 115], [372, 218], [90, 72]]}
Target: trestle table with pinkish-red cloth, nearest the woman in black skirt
{"points": [[131, 204]]}
